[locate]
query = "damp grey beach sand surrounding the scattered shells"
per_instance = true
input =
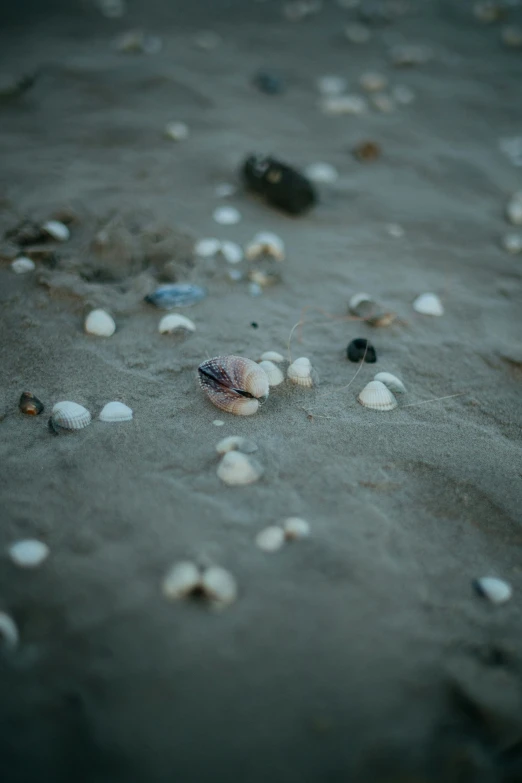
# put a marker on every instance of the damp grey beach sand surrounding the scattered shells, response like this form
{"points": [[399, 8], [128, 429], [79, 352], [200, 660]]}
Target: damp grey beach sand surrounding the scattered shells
{"points": [[359, 654]]}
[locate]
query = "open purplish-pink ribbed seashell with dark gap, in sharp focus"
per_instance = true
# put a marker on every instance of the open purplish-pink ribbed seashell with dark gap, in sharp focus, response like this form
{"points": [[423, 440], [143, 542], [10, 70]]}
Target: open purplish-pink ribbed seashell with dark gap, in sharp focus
{"points": [[234, 384]]}
